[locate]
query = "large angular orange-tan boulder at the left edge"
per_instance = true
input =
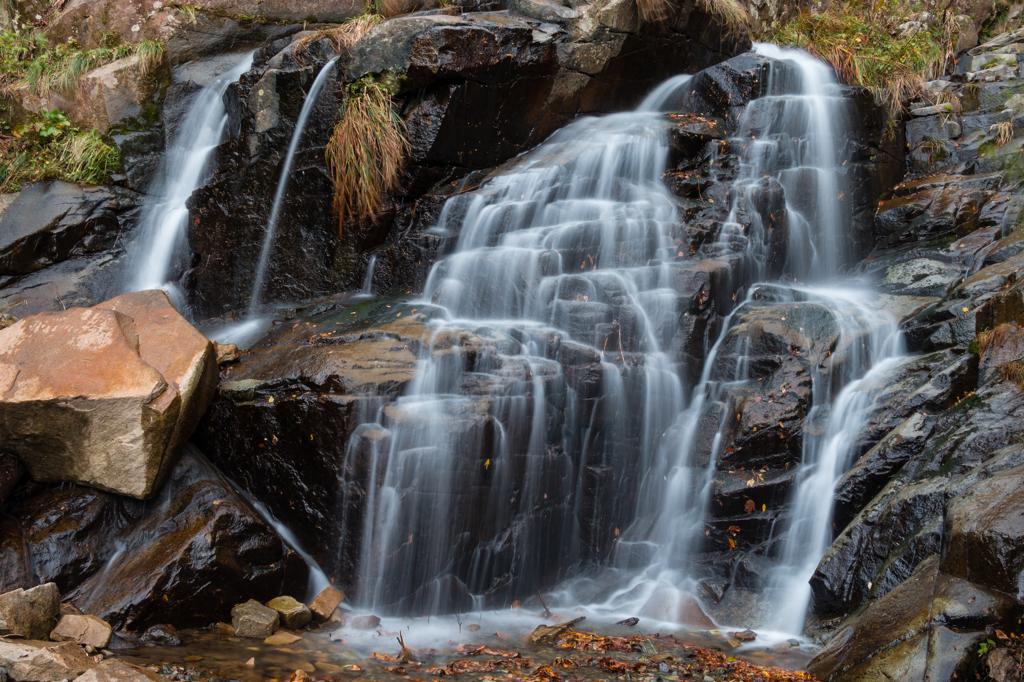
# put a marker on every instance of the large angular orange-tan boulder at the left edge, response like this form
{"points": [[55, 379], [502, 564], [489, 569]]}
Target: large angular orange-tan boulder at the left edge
{"points": [[132, 372]]}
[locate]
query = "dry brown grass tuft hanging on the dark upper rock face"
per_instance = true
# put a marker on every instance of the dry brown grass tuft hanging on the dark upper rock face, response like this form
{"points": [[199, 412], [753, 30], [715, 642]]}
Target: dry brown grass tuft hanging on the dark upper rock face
{"points": [[367, 151]]}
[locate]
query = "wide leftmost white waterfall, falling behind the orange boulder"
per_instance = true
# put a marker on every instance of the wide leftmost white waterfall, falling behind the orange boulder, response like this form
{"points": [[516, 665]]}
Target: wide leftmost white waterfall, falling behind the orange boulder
{"points": [[189, 159]]}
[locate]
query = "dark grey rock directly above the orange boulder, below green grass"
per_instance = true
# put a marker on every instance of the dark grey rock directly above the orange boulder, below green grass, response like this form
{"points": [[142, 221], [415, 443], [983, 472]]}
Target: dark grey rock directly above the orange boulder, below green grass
{"points": [[62, 245]]}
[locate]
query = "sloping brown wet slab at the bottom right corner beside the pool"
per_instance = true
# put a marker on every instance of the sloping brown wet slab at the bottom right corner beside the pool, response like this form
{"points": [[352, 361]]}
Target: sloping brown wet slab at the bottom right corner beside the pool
{"points": [[892, 635]]}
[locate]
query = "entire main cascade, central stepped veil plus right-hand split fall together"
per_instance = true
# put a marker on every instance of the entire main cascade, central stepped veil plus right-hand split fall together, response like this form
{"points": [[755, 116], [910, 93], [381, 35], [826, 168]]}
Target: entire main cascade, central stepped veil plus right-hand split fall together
{"points": [[554, 360]]}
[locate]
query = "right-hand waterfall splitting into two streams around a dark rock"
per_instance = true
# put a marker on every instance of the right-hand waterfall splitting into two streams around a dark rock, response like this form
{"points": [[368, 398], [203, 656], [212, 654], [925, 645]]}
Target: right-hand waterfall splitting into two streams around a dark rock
{"points": [[789, 137]]}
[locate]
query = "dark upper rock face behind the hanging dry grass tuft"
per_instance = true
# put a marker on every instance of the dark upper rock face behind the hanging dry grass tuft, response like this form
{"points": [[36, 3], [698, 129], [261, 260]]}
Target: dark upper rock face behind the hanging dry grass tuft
{"points": [[475, 91]]}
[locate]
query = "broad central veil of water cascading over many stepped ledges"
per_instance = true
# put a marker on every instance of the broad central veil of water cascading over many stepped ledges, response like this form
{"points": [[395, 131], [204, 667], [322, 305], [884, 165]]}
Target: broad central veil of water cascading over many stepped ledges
{"points": [[556, 305]]}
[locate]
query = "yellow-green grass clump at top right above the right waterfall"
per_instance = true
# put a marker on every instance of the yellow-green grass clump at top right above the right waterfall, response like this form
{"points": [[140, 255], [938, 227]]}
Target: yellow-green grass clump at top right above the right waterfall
{"points": [[887, 48]]}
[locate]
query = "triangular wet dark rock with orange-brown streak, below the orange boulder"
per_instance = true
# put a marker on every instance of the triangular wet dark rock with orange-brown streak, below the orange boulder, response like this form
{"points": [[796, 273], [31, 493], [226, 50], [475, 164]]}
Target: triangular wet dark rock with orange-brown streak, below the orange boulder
{"points": [[202, 547]]}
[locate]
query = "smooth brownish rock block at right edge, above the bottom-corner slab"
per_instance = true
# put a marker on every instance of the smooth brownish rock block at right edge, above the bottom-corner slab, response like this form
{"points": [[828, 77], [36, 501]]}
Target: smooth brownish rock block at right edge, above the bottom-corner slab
{"points": [[985, 532]]}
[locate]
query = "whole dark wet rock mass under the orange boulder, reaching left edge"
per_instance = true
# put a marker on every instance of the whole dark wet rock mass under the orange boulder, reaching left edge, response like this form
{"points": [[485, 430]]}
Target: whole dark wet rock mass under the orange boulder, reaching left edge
{"points": [[115, 558]]}
